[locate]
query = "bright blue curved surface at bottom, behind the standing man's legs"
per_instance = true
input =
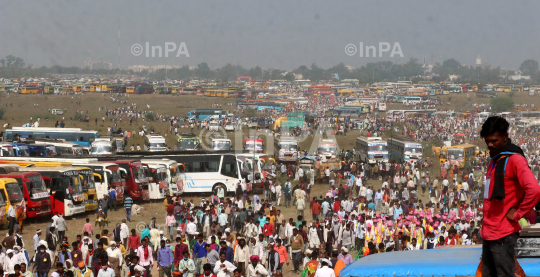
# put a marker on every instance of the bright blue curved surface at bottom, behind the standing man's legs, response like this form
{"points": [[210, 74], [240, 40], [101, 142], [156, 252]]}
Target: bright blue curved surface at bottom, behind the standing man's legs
{"points": [[435, 262]]}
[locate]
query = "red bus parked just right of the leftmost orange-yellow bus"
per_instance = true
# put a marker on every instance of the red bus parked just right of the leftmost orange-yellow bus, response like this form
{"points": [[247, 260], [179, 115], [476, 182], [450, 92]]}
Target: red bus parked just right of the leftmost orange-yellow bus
{"points": [[34, 191]]}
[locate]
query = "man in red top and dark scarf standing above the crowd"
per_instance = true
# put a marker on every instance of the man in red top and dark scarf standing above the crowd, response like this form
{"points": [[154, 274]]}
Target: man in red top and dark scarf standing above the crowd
{"points": [[510, 192]]}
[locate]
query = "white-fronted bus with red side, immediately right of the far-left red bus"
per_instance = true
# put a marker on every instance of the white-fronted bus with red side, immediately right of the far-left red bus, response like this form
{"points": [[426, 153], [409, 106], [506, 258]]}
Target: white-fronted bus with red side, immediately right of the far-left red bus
{"points": [[65, 189]]}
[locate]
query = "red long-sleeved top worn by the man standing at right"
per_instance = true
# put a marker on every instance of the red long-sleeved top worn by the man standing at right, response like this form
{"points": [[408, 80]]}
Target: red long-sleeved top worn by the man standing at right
{"points": [[522, 193]]}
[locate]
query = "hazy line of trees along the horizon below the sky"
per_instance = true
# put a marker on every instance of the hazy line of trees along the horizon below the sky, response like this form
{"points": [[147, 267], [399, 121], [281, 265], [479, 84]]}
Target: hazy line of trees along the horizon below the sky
{"points": [[383, 71]]}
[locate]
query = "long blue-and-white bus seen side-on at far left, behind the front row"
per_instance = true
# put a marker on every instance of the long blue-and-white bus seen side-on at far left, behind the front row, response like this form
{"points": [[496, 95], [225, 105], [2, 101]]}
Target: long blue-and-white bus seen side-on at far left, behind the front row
{"points": [[75, 135]]}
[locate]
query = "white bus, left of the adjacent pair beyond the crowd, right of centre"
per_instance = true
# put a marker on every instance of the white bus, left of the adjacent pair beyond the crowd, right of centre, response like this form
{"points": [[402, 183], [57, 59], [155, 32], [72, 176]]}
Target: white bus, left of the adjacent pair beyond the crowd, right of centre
{"points": [[371, 150]]}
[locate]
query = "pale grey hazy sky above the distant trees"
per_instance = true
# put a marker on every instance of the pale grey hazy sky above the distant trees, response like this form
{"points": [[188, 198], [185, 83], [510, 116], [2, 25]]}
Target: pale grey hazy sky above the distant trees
{"points": [[274, 34]]}
